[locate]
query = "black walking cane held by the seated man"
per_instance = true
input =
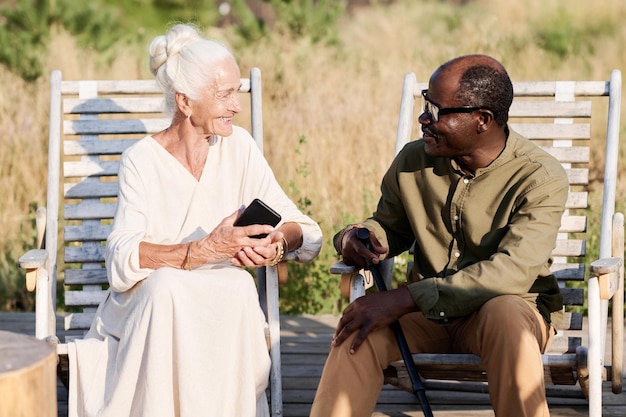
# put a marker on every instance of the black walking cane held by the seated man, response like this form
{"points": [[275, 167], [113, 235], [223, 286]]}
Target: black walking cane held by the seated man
{"points": [[418, 388]]}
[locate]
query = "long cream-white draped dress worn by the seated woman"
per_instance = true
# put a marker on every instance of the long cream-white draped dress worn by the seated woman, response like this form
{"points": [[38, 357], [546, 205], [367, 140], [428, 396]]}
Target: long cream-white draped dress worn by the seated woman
{"points": [[171, 342]]}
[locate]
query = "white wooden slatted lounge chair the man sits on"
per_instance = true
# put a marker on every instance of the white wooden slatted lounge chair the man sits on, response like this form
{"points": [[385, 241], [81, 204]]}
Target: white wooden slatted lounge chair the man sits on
{"points": [[558, 116]]}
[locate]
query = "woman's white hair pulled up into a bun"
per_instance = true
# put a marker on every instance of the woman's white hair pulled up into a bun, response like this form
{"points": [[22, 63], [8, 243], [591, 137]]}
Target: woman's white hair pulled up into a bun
{"points": [[184, 62]]}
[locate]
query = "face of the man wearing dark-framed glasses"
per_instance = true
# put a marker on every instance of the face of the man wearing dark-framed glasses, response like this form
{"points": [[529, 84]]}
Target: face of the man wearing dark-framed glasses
{"points": [[454, 133]]}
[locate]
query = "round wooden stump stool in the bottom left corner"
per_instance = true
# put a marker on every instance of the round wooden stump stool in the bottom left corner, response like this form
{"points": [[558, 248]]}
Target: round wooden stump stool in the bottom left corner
{"points": [[27, 376]]}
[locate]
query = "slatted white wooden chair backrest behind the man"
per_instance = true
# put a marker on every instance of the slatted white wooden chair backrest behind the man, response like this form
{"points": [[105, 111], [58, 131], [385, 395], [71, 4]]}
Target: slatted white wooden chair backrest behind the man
{"points": [[557, 116]]}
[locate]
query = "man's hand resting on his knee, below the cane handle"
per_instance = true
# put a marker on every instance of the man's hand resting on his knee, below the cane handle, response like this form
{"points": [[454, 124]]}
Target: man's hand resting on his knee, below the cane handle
{"points": [[372, 312]]}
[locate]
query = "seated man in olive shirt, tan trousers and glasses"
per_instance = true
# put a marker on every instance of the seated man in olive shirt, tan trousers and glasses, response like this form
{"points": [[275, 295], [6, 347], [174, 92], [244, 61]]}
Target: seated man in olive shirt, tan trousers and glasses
{"points": [[483, 206]]}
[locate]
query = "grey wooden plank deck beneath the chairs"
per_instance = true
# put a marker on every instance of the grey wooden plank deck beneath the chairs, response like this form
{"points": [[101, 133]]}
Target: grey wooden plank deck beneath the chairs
{"points": [[305, 343]]}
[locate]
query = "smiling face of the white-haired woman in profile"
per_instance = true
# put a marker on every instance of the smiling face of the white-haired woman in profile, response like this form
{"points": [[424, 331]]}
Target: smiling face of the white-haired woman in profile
{"points": [[213, 113]]}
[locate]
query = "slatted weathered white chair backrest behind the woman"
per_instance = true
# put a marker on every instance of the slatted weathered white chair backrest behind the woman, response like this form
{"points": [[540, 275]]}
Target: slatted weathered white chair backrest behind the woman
{"points": [[91, 124]]}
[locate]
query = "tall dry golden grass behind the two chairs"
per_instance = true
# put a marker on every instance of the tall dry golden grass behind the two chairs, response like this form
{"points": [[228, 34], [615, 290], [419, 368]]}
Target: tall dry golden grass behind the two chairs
{"points": [[329, 110]]}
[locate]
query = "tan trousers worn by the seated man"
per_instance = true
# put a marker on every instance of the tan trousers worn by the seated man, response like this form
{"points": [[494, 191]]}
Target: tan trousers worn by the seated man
{"points": [[506, 332]]}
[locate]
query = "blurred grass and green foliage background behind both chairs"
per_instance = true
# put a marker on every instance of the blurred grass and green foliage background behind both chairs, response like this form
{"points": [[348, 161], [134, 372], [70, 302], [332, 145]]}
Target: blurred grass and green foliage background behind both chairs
{"points": [[332, 75]]}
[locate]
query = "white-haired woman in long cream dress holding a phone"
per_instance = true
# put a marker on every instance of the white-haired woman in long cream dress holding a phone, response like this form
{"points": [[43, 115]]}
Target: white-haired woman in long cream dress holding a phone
{"points": [[181, 332]]}
